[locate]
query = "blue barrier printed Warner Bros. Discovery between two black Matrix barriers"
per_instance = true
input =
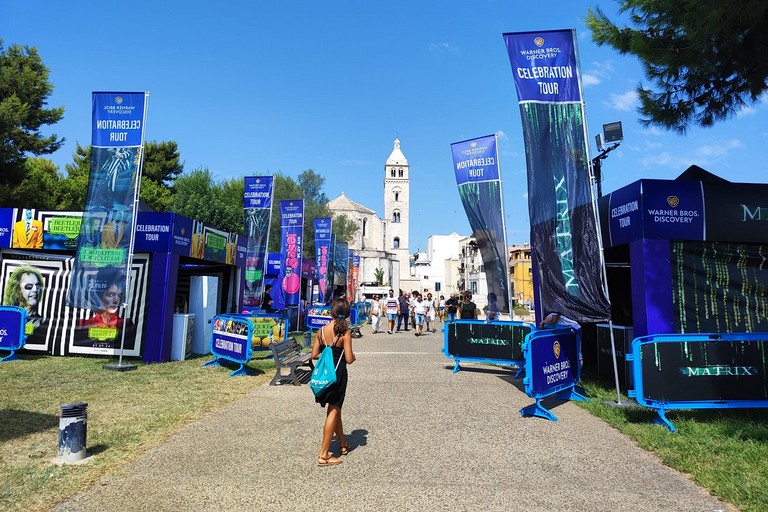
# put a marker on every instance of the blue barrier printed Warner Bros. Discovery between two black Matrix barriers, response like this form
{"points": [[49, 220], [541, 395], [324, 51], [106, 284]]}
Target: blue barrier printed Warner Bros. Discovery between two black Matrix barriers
{"points": [[551, 367]]}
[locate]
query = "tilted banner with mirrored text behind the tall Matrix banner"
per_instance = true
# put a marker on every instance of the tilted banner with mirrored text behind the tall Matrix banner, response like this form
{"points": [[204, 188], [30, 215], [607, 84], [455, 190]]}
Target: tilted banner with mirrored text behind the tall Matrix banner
{"points": [[476, 164]]}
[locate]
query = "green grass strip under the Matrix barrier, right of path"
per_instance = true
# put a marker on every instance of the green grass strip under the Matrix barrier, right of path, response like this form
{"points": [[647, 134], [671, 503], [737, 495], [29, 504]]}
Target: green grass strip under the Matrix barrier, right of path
{"points": [[724, 451]]}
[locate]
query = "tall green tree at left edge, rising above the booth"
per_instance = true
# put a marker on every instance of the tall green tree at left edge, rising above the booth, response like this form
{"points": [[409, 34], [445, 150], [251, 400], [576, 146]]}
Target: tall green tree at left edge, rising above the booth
{"points": [[24, 91]]}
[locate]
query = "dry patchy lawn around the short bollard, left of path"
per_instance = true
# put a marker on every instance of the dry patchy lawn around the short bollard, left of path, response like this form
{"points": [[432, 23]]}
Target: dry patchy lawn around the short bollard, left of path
{"points": [[128, 413]]}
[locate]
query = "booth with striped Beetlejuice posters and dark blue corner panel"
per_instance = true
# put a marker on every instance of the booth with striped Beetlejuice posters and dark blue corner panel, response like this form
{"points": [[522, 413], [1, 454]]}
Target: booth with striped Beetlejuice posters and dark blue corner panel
{"points": [[183, 274]]}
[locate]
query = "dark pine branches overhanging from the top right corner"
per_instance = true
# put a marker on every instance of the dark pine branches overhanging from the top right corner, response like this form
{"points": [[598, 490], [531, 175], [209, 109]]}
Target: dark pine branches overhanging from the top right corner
{"points": [[706, 60]]}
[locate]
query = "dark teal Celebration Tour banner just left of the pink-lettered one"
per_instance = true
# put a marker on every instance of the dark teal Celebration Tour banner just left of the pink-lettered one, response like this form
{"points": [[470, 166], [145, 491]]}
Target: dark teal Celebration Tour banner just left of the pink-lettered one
{"points": [[257, 201]]}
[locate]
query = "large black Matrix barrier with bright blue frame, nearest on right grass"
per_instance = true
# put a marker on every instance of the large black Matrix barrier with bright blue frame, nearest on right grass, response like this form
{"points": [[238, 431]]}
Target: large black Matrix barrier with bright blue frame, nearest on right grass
{"points": [[699, 371]]}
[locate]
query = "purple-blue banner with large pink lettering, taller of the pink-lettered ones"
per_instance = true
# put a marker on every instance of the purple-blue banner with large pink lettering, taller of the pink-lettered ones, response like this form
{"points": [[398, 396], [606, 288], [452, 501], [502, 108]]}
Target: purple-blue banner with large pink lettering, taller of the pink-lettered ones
{"points": [[291, 242]]}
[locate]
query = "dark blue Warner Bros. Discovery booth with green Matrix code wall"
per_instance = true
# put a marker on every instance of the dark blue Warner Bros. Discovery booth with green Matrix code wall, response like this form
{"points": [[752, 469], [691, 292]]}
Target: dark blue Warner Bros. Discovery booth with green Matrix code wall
{"points": [[683, 256]]}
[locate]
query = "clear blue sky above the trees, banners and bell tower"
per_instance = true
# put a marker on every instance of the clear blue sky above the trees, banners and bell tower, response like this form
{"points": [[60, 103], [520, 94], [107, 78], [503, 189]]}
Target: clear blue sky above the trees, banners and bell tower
{"points": [[260, 87]]}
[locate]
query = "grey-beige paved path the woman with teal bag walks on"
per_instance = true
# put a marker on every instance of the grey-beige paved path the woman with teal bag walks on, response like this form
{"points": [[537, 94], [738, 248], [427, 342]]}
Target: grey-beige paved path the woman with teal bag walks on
{"points": [[422, 437]]}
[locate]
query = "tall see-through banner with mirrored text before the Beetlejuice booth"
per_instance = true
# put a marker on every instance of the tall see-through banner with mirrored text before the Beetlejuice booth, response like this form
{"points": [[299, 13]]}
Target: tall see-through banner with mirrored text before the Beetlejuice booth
{"points": [[100, 272]]}
